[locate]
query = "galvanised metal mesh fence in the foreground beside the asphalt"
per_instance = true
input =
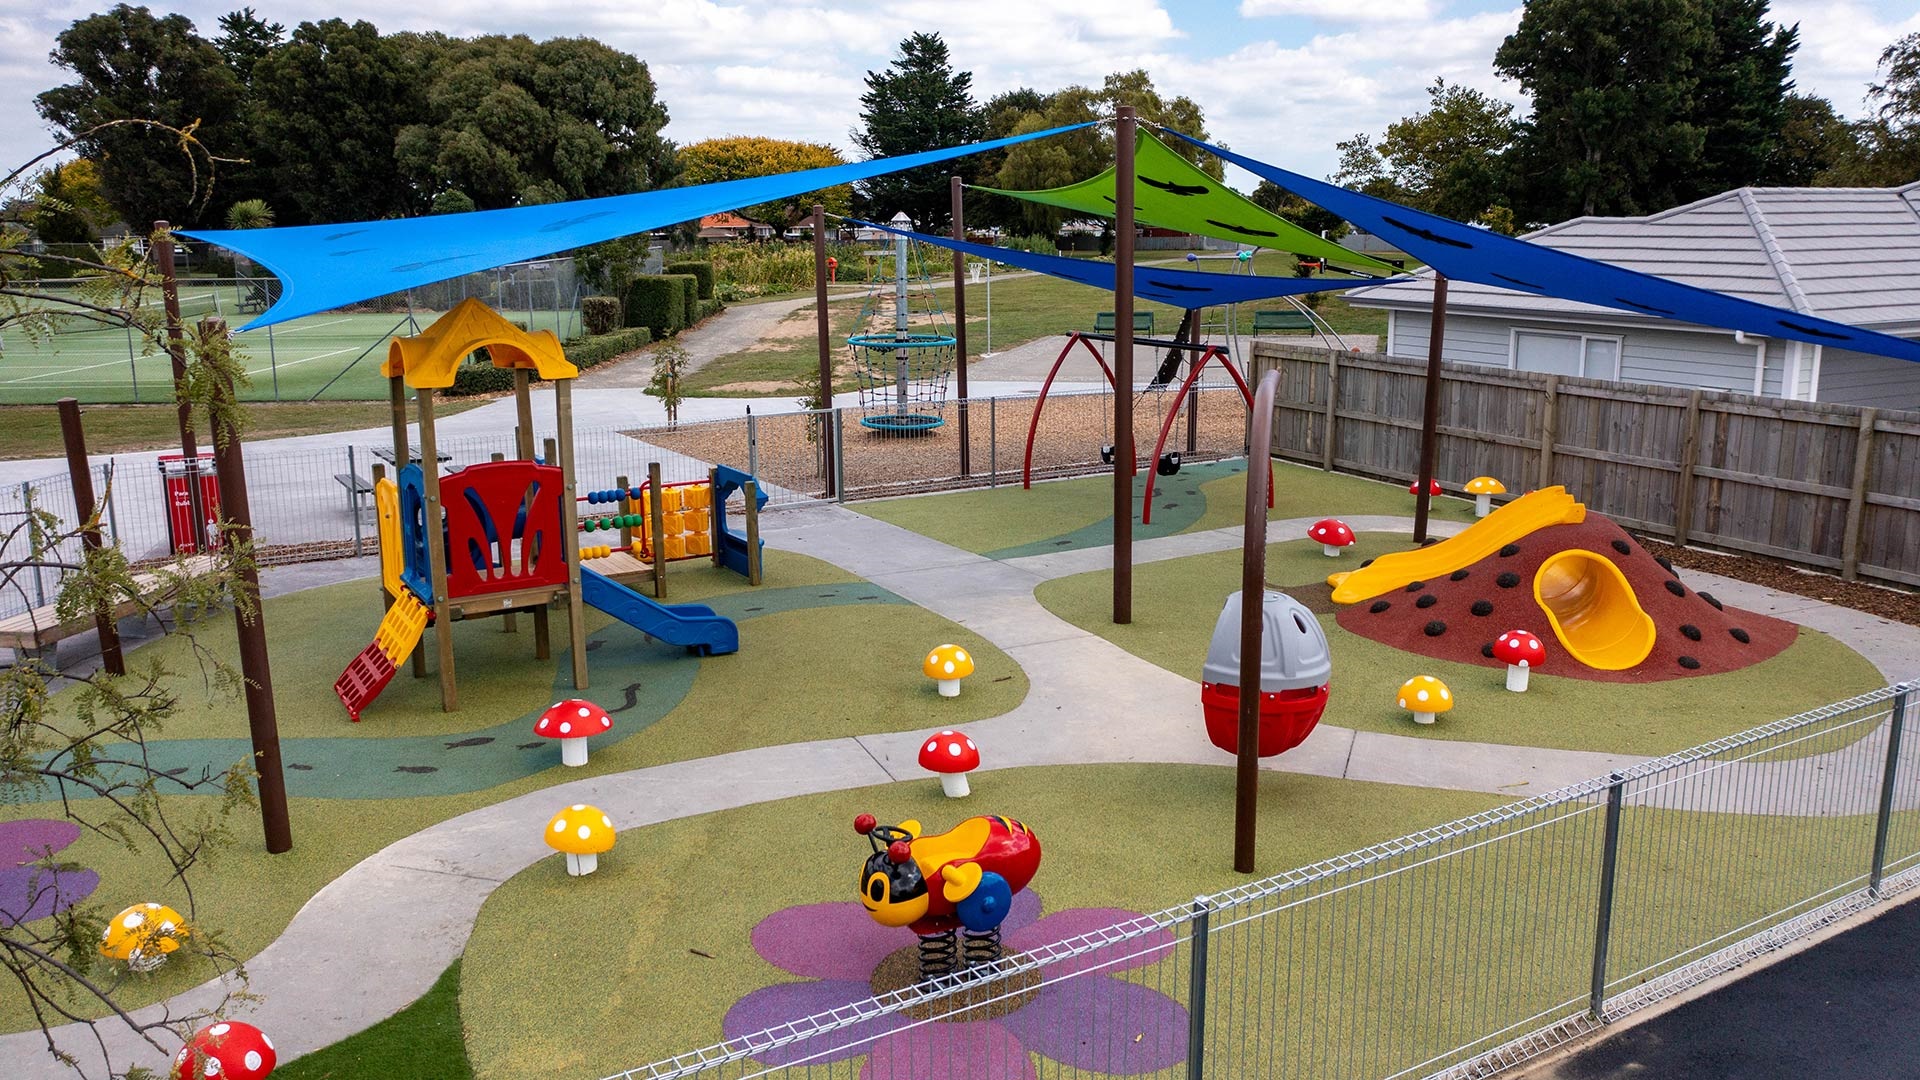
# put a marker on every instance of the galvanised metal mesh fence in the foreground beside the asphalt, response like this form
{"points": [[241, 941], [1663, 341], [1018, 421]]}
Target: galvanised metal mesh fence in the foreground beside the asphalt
{"points": [[1445, 954]]}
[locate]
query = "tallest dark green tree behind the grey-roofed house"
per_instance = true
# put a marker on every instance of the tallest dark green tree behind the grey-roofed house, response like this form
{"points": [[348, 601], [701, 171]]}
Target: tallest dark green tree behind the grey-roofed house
{"points": [[1612, 87]]}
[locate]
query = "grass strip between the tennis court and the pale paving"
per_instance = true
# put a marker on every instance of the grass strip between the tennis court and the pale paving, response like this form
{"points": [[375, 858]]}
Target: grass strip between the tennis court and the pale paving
{"points": [[34, 431]]}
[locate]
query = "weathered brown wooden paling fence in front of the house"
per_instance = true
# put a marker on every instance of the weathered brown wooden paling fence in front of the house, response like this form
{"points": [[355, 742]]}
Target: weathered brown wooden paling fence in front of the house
{"points": [[1833, 487]]}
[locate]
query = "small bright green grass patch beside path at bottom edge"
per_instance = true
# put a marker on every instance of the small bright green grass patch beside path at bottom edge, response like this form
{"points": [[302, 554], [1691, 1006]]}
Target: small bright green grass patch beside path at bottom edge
{"points": [[421, 1043]]}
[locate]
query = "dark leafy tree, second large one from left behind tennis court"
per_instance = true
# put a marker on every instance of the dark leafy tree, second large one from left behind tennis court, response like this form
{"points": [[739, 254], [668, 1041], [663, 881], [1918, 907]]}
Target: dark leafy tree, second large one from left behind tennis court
{"points": [[324, 114]]}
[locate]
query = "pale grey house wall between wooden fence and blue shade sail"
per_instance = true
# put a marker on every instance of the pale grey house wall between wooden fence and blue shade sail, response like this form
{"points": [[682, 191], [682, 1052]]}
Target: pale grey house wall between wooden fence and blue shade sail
{"points": [[1660, 358]]}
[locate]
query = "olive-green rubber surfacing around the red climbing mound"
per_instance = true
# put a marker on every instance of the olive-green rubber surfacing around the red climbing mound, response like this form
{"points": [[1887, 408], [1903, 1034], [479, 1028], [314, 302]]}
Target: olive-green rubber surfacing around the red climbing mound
{"points": [[1176, 604]]}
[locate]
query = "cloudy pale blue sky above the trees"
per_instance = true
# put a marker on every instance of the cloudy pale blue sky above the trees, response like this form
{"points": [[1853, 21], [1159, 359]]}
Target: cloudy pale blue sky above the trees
{"points": [[1278, 80]]}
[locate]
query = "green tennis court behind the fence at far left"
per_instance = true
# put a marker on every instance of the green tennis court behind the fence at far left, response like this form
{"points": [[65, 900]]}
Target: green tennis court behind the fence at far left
{"points": [[333, 356]]}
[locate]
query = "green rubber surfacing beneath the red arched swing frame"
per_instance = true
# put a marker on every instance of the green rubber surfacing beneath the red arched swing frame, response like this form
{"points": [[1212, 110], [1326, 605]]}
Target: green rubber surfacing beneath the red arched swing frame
{"points": [[1015, 522]]}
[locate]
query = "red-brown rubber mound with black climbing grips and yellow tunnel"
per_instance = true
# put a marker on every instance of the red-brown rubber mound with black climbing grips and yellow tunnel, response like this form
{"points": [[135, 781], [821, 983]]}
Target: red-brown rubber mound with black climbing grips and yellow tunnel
{"points": [[1694, 635]]}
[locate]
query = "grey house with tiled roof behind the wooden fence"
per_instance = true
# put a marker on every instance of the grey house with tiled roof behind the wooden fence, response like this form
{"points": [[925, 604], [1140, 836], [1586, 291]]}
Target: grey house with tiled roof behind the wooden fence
{"points": [[1846, 255]]}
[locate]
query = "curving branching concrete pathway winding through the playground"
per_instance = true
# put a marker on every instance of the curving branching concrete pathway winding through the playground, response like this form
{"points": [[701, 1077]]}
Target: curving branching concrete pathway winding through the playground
{"points": [[377, 937]]}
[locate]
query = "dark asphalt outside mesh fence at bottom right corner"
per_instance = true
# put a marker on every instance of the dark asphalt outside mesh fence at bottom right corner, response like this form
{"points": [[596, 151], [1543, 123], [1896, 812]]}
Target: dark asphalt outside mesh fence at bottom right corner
{"points": [[1842, 1010]]}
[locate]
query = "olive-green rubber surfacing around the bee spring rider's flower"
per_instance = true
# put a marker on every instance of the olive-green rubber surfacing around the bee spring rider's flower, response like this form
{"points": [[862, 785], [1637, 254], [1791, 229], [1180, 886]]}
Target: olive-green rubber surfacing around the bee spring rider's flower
{"points": [[654, 948]]}
